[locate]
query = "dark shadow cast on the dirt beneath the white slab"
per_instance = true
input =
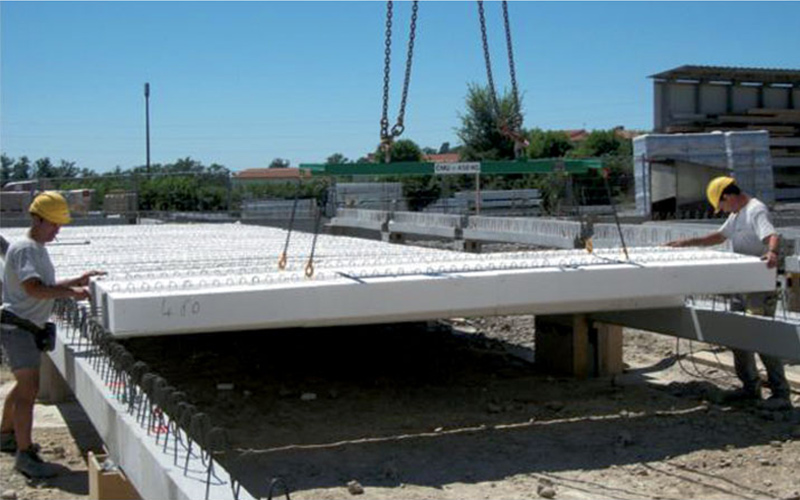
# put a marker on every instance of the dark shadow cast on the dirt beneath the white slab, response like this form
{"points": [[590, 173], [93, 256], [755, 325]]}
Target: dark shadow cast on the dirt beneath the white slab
{"points": [[412, 404]]}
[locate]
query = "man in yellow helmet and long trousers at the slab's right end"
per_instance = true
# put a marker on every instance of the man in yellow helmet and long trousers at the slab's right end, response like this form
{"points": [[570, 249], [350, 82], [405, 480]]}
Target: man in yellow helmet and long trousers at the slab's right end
{"points": [[751, 233]]}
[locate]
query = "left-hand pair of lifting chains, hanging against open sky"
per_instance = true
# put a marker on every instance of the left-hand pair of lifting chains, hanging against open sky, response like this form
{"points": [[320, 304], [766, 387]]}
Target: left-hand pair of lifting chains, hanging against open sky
{"points": [[387, 137]]}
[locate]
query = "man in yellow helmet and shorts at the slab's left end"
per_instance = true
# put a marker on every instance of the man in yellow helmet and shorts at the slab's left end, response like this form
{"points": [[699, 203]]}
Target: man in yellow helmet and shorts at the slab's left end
{"points": [[29, 292]]}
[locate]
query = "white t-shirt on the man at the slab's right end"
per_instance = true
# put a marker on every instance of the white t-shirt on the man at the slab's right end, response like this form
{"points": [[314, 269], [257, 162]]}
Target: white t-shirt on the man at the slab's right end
{"points": [[747, 228]]}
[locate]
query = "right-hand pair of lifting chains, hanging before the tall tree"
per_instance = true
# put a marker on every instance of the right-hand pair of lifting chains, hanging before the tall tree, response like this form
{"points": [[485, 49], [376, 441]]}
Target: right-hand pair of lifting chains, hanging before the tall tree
{"points": [[509, 126]]}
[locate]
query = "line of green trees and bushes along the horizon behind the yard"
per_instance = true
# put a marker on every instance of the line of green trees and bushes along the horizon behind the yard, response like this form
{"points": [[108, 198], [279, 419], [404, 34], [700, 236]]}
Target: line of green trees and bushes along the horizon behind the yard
{"points": [[187, 184]]}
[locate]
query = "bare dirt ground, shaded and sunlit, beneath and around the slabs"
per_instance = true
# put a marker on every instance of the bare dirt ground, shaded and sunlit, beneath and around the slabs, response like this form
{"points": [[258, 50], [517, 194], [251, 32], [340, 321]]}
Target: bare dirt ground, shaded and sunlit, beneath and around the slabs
{"points": [[452, 410]]}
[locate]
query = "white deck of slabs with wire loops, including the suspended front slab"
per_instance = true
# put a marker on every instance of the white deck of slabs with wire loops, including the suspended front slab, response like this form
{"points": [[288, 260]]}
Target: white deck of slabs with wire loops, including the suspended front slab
{"points": [[170, 279]]}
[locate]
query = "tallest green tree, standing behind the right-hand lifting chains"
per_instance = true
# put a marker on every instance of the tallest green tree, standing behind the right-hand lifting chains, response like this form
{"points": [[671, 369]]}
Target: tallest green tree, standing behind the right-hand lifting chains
{"points": [[479, 132]]}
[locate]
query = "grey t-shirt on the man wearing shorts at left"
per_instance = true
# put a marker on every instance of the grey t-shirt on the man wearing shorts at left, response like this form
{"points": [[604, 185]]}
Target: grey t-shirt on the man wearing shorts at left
{"points": [[27, 259]]}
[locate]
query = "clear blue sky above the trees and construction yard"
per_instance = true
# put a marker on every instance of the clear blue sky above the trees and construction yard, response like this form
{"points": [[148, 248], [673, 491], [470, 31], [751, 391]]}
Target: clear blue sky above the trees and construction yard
{"points": [[242, 83]]}
